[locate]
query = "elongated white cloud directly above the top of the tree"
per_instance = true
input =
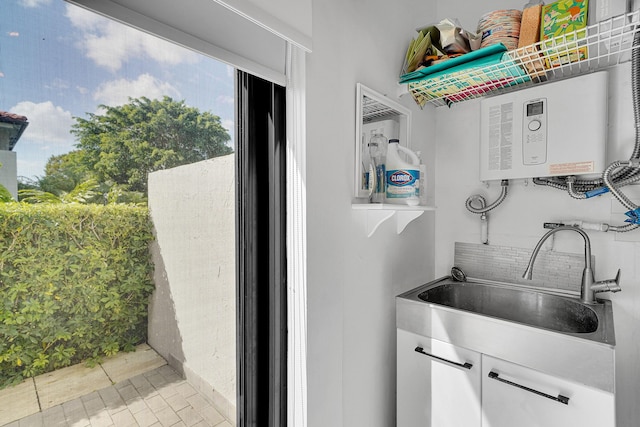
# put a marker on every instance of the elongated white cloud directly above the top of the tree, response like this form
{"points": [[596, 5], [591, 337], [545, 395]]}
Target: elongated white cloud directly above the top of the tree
{"points": [[118, 92]]}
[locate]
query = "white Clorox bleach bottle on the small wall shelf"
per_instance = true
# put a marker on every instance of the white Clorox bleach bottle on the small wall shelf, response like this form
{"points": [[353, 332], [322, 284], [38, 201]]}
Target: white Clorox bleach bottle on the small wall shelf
{"points": [[403, 179]]}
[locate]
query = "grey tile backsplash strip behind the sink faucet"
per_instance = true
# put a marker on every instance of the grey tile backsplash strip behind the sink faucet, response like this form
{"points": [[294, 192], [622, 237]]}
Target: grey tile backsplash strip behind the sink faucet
{"points": [[557, 270]]}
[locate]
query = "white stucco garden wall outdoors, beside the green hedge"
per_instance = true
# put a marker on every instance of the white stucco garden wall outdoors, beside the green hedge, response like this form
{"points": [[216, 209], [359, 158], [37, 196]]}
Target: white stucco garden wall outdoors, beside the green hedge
{"points": [[192, 311]]}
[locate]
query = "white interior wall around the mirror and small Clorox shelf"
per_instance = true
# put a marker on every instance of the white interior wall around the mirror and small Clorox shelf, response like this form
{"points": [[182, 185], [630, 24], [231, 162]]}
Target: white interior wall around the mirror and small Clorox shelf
{"points": [[352, 279]]}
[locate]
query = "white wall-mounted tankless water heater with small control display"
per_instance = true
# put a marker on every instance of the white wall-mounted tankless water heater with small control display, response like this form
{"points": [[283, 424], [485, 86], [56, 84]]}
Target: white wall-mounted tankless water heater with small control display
{"points": [[553, 129]]}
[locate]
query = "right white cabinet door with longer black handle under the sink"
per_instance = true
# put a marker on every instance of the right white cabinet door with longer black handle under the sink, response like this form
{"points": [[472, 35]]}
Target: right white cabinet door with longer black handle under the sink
{"points": [[514, 395]]}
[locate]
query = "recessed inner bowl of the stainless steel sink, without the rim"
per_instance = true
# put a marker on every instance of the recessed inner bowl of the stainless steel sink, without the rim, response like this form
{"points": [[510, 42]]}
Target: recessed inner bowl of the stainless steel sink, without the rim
{"points": [[537, 309]]}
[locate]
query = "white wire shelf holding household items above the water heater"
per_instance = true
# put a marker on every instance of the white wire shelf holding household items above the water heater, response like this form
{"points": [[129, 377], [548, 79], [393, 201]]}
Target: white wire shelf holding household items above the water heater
{"points": [[587, 50]]}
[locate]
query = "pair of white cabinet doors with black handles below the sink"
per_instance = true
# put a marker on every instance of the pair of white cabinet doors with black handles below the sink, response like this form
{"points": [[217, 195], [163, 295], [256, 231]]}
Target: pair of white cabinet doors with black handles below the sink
{"points": [[442, 385]]}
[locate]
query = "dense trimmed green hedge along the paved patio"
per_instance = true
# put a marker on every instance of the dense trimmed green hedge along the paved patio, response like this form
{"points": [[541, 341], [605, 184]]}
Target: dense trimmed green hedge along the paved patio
{"points": [[74, 284]]}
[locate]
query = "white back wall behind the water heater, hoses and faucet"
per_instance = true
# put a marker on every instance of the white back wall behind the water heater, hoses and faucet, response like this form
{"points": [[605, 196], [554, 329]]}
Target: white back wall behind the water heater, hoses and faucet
{"points": [[518, 221]]}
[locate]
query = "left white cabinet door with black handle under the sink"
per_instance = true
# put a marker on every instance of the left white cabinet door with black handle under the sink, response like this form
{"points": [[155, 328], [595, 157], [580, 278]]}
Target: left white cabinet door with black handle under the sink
{"points": [[438, 383]]}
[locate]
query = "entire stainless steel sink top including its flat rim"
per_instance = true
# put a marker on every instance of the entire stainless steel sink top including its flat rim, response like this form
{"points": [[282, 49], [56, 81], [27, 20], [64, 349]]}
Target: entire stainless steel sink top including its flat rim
{"points": [[521, 305]]}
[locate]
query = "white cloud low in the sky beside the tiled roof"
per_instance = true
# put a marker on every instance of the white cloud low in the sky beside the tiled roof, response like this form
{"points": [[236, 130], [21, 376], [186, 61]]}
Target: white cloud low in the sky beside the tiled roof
{"points": [[49, 125]]}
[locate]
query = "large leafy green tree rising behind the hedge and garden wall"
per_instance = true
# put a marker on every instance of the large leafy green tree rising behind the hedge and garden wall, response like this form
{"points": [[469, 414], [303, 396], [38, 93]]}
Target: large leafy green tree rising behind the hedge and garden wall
{"points": [[125, 143]]}
